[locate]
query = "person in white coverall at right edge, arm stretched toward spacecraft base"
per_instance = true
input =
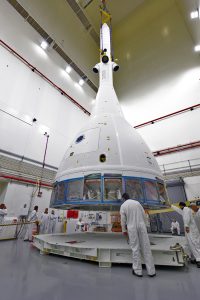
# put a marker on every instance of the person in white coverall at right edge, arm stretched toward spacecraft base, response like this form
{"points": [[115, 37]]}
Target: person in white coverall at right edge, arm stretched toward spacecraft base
{"points": [[191, 231]]}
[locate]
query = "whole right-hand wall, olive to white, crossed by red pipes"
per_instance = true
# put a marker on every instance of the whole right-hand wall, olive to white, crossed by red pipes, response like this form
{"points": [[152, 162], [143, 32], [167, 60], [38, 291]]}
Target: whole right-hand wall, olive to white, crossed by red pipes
{"points": [[159, 75]]}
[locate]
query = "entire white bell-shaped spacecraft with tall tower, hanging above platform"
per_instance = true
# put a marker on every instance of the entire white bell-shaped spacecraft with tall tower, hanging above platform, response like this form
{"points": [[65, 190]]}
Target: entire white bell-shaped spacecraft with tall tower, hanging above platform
{"points": [[107, 157]]}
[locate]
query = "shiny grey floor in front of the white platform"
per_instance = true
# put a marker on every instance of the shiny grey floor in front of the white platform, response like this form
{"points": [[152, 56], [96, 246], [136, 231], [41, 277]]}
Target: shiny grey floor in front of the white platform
{"points": [[27, 275]]}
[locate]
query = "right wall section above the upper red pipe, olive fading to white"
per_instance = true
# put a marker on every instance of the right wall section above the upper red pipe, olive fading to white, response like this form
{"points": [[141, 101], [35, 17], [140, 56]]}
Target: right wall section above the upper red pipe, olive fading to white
{"points": [[159, 70]]}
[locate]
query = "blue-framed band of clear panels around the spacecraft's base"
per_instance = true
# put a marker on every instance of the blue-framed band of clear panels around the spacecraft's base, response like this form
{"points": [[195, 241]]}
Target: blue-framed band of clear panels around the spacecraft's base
{"points": [[108, 190]]}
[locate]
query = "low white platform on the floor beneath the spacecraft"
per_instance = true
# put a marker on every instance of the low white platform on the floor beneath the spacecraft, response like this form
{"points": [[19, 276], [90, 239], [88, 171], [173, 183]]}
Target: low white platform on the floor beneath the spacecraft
{"points": [[108, 248]]}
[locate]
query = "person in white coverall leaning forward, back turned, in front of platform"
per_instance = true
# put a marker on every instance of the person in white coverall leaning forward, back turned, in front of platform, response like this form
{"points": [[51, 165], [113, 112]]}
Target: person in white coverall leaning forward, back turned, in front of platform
{"points": [[133, 224]]}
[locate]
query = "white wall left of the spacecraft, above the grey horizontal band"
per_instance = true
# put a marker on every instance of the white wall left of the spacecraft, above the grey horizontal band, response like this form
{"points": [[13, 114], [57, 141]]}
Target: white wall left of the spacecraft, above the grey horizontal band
{"points": [[25, 95]]}
